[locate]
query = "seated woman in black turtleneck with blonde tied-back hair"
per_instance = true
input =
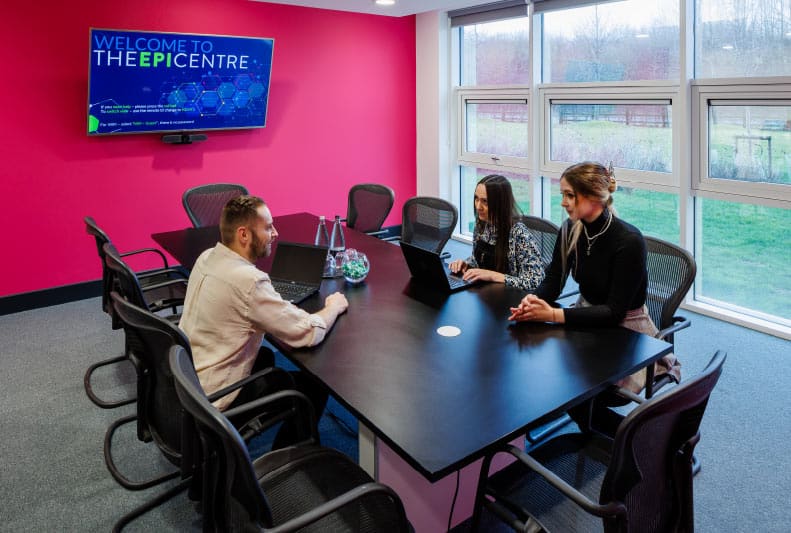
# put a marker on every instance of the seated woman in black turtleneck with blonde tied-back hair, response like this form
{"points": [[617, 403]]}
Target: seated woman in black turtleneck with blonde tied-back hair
{"points": [[607, 258]]}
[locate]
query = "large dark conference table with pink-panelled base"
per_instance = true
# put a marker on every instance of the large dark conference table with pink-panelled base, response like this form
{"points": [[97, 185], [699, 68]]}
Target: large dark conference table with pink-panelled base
{"points": [[430, 405]]}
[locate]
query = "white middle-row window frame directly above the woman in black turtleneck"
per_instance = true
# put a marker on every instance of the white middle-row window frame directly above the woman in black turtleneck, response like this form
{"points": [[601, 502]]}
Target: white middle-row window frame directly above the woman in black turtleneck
{"points": [[618, 93]]}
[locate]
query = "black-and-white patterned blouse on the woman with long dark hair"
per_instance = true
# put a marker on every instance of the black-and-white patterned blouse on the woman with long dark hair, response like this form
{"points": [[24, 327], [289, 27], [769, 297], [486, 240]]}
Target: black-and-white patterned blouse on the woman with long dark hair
{"points": [[525, 270]]}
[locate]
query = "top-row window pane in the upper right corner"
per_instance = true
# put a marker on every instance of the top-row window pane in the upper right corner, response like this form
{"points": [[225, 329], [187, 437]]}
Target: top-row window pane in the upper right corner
{"points": [[742, 38]]}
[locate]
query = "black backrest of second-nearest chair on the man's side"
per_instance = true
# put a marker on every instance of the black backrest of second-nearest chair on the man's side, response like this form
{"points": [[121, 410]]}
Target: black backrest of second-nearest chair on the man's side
{"points": [[148, 339]]}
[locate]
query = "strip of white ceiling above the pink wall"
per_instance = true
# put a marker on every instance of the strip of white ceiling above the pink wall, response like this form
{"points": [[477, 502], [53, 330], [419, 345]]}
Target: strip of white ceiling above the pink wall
{"points": [[400, 9]]}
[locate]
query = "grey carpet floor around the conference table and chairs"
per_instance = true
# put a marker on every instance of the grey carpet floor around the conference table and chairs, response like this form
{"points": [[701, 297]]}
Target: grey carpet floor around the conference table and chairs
{"points": [[54, 477]]}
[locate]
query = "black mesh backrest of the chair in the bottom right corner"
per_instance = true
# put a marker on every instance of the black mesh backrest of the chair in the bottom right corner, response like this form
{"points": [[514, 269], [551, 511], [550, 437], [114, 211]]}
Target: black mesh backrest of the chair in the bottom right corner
{"points": [[651, 466]]}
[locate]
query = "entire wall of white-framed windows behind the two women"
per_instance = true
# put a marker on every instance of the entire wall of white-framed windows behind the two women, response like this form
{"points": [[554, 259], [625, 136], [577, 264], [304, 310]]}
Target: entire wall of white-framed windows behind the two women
{"points": [[692, 107]]}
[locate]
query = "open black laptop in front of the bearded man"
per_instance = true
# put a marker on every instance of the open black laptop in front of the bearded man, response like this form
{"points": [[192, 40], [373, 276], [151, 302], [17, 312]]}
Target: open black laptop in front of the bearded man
{"points": [[297, 269]]}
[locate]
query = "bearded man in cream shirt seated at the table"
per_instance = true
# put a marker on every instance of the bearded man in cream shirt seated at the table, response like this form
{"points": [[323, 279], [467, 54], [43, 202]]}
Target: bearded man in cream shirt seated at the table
{"points": [[230, 305]]}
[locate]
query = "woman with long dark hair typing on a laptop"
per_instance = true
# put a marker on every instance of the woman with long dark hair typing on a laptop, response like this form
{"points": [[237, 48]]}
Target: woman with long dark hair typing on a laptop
{"points": [[503, 249]]}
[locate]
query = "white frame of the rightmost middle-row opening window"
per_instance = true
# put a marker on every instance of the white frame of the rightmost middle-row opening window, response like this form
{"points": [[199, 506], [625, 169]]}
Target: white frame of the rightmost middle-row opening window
{"points": [[750, 91]]}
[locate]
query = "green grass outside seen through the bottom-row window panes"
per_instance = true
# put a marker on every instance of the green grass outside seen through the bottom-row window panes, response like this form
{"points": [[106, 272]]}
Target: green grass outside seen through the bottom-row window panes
{"points": [[744, 256]]}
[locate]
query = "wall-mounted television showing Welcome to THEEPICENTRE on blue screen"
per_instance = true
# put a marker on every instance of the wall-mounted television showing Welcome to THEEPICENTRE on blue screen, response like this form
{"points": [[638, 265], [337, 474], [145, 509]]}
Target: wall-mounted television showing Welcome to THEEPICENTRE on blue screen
{"points": [[176, 82]]}
